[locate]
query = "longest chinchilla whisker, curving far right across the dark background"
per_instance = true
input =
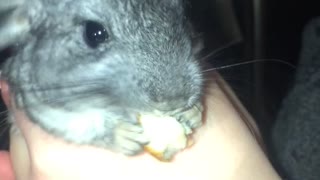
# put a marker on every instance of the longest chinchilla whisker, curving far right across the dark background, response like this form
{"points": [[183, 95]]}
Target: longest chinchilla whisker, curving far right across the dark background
{"points": [[250, 62]]}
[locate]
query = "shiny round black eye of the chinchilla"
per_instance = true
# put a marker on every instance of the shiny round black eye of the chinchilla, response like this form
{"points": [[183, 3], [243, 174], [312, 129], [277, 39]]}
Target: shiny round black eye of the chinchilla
{"points": [[95, 33]]}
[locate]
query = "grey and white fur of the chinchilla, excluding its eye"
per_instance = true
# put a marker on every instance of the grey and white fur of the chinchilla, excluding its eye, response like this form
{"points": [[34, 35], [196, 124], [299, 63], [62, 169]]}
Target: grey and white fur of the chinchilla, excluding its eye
{"points": [[146, 65]]}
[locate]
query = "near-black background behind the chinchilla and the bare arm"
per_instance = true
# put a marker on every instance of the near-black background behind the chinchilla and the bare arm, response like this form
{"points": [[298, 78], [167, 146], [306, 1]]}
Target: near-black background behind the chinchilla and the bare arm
{"points": [[246, 30]]}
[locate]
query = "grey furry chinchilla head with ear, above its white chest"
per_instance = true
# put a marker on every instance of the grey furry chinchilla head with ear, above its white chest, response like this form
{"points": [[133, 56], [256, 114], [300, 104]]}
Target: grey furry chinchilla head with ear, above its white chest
{"points": [[134, 54]]}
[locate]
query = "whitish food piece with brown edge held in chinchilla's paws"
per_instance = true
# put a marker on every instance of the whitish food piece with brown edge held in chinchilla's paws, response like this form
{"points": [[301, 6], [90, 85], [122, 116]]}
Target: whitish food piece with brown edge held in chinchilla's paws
{"points": [[167, 136]]}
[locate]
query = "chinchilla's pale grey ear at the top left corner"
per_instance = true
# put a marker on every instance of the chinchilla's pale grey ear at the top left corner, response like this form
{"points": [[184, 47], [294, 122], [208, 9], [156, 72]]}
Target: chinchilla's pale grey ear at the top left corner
{"points": [[13, 24]]}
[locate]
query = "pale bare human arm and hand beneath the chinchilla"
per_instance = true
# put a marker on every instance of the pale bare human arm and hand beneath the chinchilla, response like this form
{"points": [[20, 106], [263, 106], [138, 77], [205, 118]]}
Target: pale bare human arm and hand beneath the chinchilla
{"points": [[224, 149]]}
